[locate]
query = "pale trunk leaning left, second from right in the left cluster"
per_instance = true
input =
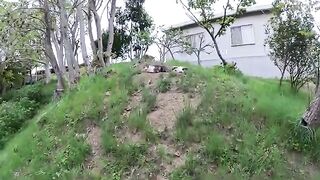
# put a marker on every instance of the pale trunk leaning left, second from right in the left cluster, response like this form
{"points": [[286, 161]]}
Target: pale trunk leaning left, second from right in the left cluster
{"points": [[99, 32]]}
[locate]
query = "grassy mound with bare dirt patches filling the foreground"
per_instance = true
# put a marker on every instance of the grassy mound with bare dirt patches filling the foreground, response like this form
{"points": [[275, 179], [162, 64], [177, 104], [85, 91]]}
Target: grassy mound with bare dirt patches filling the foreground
{"points": [[207, 124]]}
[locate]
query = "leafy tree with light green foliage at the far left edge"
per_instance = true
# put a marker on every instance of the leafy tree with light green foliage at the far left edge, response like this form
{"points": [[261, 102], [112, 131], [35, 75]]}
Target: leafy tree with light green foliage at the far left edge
{"points": [[20, 43]]}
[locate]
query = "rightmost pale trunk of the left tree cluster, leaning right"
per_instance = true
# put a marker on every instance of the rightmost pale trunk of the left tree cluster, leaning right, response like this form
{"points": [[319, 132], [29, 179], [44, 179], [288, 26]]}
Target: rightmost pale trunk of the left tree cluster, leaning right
{"points": [[111, 30]]}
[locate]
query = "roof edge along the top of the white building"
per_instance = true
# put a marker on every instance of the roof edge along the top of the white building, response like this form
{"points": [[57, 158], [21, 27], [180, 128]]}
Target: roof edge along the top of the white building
{"points": [[249, 11]]}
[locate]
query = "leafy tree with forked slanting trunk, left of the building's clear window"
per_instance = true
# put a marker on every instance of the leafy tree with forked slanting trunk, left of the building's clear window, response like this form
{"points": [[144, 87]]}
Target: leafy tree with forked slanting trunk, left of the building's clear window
{"points": [[203, 12]]}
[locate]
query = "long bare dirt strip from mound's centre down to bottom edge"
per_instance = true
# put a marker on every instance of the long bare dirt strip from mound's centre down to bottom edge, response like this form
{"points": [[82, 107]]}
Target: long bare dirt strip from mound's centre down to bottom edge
{"points": [[163, 119]]}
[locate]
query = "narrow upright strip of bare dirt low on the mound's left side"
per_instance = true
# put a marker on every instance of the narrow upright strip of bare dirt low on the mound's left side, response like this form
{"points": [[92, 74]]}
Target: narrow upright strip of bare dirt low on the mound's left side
{"points": [[94, 140]]}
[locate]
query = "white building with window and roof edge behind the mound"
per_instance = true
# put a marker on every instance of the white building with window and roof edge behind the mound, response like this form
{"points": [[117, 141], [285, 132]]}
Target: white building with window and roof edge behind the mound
{"points": [[243, 43]]}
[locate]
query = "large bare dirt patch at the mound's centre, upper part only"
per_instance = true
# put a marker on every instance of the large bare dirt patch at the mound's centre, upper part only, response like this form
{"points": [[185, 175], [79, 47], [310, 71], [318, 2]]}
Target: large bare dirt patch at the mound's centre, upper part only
{"points": [[169, 105]]}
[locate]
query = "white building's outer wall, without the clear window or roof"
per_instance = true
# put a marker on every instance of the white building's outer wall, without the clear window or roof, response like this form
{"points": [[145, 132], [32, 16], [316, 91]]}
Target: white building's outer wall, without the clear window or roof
{"points": [[251, 59]]}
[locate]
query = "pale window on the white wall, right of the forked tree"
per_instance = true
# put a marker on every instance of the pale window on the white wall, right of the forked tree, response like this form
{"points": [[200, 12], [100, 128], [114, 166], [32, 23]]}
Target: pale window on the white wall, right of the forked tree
{"points": [[242, 35]]}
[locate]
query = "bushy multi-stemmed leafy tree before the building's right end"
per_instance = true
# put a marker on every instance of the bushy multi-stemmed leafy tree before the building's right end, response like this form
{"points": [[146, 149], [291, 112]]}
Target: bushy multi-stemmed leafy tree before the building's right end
{"points": [[292, 41]]}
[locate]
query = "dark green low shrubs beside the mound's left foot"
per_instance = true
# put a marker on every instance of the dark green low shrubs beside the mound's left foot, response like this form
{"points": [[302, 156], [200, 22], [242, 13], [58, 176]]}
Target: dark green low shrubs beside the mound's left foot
{"points": [[18, 106]]}
